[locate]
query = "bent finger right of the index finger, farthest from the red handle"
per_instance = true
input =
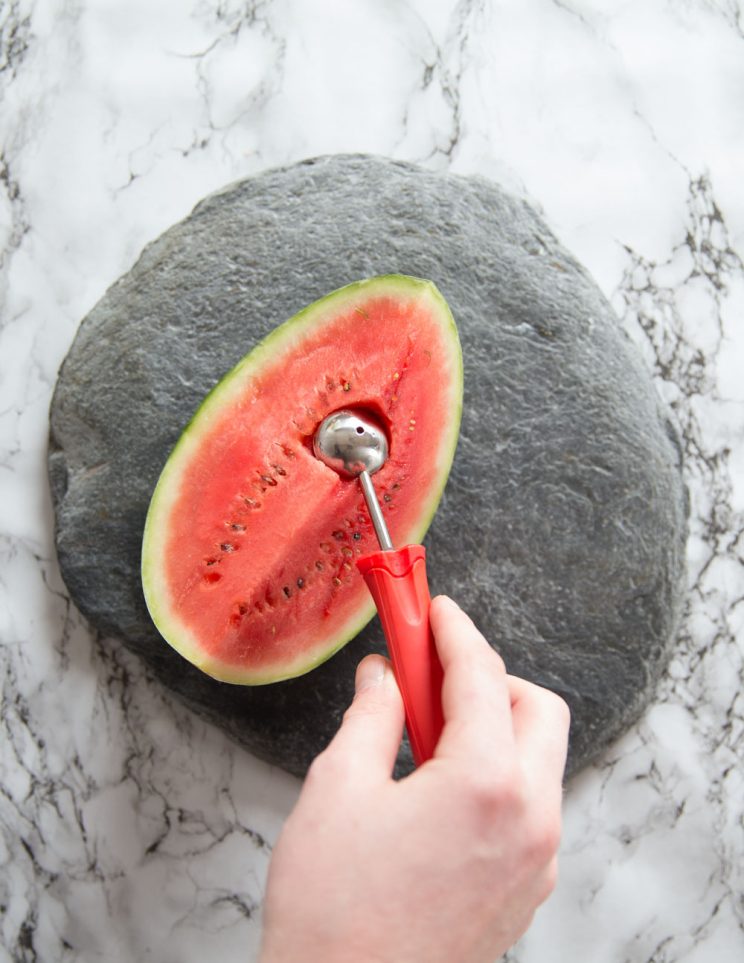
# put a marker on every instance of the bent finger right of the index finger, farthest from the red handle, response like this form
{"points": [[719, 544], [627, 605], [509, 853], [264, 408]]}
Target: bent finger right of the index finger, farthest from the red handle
{"points": [[540, 720]]}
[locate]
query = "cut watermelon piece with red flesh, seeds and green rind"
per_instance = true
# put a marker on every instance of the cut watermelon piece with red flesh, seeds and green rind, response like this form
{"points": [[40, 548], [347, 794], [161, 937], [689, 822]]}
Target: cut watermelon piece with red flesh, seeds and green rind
{"points": [[250, 542]]}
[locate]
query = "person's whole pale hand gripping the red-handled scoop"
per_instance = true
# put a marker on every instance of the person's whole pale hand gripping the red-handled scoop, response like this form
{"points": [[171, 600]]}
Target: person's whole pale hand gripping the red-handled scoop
{"points": [[447, 865]]}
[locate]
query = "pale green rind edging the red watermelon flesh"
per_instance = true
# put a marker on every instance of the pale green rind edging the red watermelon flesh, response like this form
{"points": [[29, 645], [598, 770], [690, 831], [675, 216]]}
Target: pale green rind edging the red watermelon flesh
{"points": [[282, 338]]}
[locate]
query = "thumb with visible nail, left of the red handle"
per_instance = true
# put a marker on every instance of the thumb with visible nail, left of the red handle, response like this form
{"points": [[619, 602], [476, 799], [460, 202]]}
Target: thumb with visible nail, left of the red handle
{"points": [[372, 727]]}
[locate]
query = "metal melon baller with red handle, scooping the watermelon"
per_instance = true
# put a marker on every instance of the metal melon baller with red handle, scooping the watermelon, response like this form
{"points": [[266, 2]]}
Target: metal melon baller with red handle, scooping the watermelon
{"points": [[355, 446]]}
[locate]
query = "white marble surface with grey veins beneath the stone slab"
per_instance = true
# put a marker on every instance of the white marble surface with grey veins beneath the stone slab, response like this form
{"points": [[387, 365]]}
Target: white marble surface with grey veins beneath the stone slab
{"points": [[132, 830]]}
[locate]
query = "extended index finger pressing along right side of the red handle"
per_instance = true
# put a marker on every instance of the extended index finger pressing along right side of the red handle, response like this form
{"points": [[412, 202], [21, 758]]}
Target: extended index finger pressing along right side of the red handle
{"points": [[475, 694]]}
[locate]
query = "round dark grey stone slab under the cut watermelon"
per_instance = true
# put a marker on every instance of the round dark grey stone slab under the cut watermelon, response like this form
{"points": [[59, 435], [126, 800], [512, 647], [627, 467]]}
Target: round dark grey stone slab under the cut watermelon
{"points": [[563, 525]]}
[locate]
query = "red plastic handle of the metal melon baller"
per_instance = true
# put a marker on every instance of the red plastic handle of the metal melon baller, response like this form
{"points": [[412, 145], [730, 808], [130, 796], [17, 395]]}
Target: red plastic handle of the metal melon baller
{"points": [[397, 581]]}
